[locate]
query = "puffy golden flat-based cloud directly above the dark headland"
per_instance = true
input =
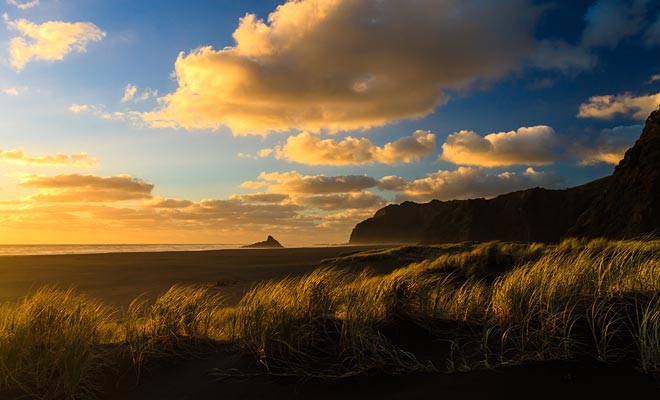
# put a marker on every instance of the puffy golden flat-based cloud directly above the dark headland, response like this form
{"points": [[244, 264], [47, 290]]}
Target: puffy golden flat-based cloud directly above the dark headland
{"points": [[528, 145]]}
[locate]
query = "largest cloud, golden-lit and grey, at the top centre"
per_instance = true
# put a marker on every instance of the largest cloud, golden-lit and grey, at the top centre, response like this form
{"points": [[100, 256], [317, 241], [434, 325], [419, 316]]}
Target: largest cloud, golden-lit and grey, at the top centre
{"points": [[343, 65]]}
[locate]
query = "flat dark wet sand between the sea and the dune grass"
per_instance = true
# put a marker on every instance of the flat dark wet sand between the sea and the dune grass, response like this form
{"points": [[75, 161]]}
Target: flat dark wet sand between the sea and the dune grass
{"points": [[117, 278]]}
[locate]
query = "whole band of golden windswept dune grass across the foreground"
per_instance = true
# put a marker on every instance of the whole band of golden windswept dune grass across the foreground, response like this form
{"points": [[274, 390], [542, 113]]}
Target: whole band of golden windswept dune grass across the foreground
{"points": [[521, 302]]}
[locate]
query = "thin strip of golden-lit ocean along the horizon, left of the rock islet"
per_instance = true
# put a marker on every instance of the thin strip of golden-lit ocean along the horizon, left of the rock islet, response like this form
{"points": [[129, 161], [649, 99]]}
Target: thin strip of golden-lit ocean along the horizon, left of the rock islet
{"points": [[24, 250]]}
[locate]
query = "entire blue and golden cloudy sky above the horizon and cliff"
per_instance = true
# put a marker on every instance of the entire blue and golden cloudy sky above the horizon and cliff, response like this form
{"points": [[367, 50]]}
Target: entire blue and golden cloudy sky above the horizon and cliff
{"points": [[226, 121]]}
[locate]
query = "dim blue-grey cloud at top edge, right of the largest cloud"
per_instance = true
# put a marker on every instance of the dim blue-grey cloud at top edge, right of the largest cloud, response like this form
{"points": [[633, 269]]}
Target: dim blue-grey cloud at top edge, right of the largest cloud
{"points": [[611, 21]]}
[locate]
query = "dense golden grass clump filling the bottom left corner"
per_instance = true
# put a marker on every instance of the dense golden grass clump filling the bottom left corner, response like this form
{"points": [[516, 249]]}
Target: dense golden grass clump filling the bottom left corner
{"points": [[49, 345]]}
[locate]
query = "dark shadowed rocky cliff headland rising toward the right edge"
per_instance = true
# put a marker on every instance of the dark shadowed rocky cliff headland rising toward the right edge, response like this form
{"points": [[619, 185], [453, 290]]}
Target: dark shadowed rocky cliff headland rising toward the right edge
{"points": [[623, 205]]}
